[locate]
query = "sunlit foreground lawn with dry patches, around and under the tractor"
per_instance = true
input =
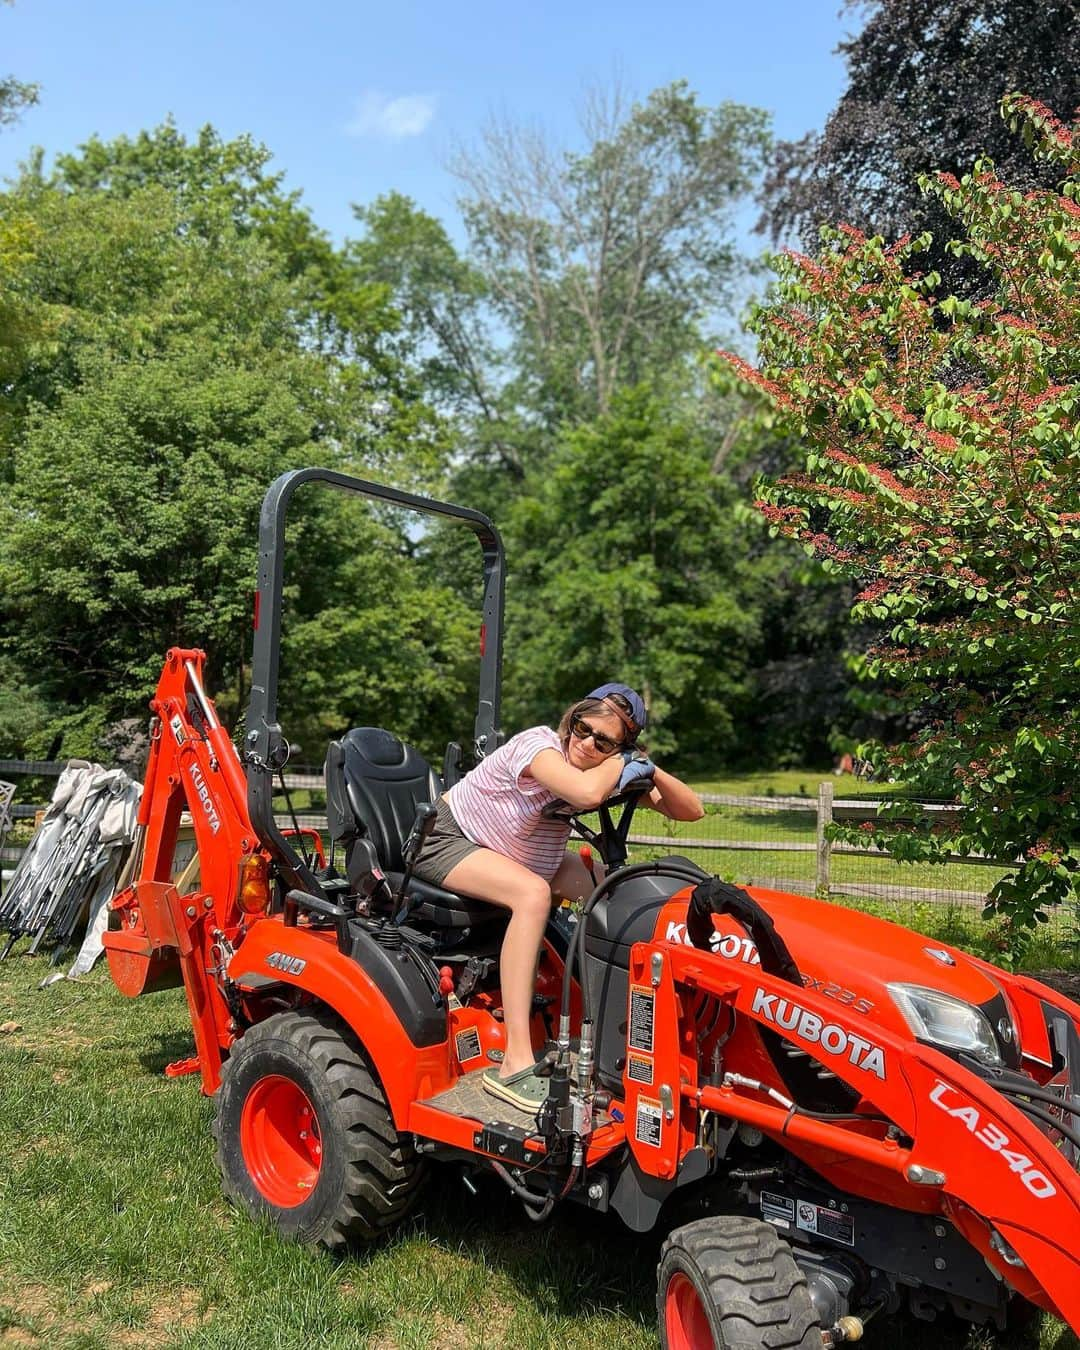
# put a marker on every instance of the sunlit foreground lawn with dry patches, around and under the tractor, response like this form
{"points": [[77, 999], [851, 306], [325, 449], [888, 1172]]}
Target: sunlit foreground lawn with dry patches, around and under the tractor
{"points": [[114, 1231]]}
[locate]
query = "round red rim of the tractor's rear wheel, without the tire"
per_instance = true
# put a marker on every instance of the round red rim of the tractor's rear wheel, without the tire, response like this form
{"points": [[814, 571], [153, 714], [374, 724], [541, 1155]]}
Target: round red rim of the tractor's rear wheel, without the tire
{"points": [[281, 1141]]}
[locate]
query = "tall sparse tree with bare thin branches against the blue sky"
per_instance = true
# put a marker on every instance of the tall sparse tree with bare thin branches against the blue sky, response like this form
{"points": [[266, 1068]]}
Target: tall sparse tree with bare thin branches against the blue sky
{"points": [[588, 272]]}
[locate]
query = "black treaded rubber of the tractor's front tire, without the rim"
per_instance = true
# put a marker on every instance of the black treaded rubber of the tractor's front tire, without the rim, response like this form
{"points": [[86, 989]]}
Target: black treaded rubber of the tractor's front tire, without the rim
{"points": [[759, 1294]]}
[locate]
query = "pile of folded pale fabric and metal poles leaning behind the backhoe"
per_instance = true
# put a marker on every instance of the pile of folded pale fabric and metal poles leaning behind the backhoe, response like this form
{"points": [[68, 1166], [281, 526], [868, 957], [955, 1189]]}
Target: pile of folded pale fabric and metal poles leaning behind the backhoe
{"points": [[70, 871]]}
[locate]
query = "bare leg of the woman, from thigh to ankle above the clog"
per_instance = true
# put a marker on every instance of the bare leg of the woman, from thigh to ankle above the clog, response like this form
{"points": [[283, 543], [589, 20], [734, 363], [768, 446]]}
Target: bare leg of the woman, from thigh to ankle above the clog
{"points": [[487, 875]]}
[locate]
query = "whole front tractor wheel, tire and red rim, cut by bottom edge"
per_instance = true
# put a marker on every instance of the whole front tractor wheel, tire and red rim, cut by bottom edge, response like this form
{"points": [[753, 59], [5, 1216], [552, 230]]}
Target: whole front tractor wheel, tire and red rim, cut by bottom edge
{"points": [[730, 1283]]}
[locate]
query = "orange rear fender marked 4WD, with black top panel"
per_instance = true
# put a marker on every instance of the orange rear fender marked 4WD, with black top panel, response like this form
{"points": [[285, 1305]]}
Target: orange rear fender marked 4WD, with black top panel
{"points": [[377, 994]]}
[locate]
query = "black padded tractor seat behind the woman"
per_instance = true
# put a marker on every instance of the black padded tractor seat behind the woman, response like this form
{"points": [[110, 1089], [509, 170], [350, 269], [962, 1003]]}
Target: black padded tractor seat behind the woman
{"points": [[375, 785]]}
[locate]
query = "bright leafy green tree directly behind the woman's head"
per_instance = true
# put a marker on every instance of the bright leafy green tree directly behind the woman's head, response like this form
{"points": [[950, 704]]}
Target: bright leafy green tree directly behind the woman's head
{"points": [[626, 566]]}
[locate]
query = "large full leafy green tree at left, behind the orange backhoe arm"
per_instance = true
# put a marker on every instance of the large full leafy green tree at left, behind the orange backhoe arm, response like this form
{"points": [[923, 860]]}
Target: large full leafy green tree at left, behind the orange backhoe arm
{"points": [[194, 354]]}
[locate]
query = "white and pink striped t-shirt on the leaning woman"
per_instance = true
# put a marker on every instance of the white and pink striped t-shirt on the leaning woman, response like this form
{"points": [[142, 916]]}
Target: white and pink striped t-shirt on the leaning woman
{"points": [[499, 804]]}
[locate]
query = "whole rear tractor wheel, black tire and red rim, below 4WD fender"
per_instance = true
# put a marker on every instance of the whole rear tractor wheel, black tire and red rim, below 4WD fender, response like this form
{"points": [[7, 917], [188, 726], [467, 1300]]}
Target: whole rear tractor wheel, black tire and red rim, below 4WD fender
{"points": [[306, 1137]]}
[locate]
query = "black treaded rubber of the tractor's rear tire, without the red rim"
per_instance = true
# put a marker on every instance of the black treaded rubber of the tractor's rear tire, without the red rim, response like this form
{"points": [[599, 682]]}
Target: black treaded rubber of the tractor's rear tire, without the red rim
{"points": [[383, 1174]]}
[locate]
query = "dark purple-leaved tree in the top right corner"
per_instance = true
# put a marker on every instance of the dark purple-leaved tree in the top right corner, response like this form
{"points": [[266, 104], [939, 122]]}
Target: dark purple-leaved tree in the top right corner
{"points": [[925, 80]]}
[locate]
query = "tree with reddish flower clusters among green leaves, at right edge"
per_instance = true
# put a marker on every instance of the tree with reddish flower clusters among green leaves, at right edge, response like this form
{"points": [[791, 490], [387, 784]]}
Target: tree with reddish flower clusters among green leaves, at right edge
{"points": [[943, 472]]}
